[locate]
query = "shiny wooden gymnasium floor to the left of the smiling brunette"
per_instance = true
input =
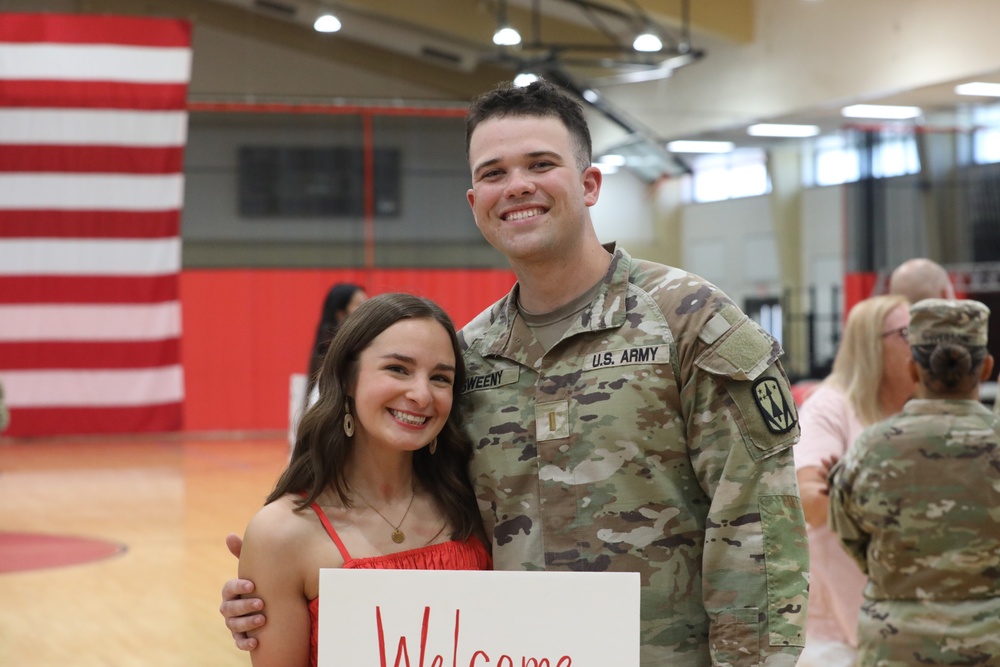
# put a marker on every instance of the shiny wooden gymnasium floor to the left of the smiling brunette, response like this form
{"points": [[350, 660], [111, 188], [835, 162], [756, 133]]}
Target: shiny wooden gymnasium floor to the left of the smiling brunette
{"points": [[170, 501]]}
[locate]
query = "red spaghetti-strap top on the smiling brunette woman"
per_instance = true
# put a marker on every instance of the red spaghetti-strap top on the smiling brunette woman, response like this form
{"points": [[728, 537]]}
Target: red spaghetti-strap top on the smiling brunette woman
{"points": [[451, 555]]}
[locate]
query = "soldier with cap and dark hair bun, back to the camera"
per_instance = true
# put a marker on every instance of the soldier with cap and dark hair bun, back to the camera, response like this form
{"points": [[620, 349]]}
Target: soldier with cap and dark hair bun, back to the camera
{"points": [[915, 502]]}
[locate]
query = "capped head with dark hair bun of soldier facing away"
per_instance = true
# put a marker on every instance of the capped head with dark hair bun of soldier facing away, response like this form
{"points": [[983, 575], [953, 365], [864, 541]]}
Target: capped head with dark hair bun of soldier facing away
{"points": [[948, 341]]}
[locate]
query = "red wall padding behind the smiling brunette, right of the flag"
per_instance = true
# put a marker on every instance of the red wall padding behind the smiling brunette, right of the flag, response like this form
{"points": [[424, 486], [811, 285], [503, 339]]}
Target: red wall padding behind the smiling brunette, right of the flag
{"points": [[247, 331]]}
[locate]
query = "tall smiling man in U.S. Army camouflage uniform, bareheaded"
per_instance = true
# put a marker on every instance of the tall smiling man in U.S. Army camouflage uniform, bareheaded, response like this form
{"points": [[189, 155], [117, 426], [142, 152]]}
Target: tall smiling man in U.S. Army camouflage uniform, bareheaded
{"points": [[627, 416]]}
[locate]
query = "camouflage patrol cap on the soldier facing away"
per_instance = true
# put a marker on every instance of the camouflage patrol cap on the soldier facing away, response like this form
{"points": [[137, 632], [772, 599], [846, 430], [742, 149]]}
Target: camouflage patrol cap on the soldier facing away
{"points": [[934, 321]]}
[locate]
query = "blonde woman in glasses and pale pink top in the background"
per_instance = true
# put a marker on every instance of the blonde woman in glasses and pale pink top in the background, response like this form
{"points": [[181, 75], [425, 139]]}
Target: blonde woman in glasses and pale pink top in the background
{"points": [[869, 382]]}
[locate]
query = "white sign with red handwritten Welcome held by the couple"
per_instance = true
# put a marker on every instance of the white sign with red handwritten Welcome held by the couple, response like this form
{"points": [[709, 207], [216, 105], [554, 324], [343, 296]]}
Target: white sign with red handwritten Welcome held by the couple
{"points": [[439, 618]]}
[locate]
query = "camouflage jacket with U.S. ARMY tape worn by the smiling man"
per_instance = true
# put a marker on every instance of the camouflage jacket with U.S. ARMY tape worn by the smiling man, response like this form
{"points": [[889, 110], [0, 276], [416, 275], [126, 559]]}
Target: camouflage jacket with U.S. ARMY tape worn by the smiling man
{"points": [[655, 437]]}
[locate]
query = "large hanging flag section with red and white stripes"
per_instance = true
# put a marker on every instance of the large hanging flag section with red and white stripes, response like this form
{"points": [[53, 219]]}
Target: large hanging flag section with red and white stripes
{"points": [[93, 124]]}
